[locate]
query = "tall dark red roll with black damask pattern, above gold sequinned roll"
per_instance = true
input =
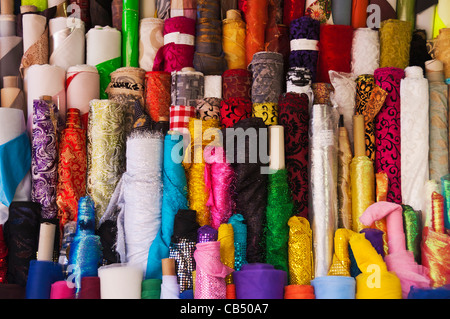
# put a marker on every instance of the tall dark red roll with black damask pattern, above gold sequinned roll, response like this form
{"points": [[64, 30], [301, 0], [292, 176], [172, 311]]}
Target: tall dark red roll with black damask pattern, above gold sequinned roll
{"points": [[294, 117]]}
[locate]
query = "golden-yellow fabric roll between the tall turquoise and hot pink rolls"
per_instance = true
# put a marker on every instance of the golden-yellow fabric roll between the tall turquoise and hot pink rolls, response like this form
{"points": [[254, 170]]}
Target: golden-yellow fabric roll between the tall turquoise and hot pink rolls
{"points": [[194, 165]]}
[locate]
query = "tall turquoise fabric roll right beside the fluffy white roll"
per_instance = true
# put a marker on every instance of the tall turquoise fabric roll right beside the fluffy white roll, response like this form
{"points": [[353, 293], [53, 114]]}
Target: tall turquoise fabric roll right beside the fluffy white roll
{"points": [[174, 198]]}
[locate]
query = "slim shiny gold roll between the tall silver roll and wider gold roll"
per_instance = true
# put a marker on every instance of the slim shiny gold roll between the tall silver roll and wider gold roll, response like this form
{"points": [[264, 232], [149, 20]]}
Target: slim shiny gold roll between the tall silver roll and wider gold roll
{"points": [[344, 183]]}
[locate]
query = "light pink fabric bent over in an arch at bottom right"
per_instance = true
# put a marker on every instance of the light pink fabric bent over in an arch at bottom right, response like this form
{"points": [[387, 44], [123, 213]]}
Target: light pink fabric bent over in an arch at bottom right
{"points": [[399, 260]]}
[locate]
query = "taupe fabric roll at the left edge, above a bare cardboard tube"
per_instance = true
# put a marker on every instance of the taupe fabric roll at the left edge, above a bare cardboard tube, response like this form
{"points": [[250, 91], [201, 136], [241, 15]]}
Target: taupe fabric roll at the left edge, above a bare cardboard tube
{"points": [[11, 52]]}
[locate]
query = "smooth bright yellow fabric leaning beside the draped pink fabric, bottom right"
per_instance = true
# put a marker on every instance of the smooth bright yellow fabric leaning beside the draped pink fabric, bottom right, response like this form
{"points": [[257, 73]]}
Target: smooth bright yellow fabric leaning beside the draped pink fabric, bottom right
{"points": [[375, 281]]}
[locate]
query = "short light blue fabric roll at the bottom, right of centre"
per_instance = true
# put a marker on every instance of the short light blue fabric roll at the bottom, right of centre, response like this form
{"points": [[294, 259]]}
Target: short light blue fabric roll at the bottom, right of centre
{"points": [[334, 287]]}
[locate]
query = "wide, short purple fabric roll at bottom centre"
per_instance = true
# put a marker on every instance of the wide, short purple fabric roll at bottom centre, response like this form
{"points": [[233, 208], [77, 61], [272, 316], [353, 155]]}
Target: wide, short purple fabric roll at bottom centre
{"points": [[259, 281]]}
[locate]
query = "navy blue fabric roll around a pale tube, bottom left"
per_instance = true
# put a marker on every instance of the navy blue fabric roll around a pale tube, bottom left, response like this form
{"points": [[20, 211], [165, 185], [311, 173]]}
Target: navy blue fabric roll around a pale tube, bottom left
{"points": [[41, 276]]}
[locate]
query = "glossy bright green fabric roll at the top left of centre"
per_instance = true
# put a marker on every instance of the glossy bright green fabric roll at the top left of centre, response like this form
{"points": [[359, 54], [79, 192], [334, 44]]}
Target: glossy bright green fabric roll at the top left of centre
{"points": [[130, 33]]}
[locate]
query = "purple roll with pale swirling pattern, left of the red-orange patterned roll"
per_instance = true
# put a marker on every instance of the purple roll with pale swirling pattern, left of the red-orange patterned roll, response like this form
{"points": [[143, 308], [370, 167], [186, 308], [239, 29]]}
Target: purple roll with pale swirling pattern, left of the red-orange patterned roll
{"points": [[44, 160]]}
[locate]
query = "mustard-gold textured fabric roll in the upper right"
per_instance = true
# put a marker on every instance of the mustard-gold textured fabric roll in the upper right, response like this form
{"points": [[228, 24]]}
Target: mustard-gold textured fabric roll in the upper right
{"points": [[395, 39]]}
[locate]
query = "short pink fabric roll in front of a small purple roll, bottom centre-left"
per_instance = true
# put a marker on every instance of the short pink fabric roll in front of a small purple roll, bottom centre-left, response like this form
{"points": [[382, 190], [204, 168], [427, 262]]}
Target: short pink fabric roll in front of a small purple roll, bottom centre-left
{"points": [[210, 272]]}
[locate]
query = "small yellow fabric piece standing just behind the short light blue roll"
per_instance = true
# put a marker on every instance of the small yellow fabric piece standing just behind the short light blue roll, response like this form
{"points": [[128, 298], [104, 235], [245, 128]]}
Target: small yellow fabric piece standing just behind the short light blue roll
{"points": [[341, 260]]}
